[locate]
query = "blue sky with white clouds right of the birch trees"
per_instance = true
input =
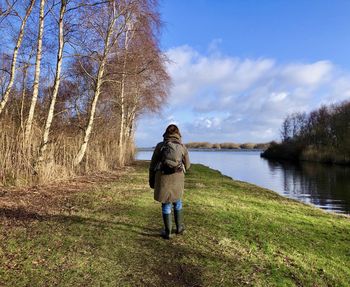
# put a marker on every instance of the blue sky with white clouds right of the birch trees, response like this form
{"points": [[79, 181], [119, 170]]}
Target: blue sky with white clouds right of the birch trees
{"points": [[239, 67]]}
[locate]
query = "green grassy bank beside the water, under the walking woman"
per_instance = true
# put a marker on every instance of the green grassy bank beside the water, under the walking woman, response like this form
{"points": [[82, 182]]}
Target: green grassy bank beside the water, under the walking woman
{"points": [[237, 235]]}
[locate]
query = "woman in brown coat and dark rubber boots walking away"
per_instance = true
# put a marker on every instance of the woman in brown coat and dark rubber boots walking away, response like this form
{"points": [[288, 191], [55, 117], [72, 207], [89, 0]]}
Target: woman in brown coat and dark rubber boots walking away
{"points": [[169, 163]]}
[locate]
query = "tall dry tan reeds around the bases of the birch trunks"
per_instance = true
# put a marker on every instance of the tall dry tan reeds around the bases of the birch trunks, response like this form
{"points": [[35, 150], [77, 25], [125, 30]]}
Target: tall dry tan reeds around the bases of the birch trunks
{"points": [[18, 162]]}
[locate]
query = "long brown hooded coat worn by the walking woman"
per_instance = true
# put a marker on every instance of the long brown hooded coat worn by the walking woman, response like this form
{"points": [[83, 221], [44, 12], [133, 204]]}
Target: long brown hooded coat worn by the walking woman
{"points": [[168, 187]]}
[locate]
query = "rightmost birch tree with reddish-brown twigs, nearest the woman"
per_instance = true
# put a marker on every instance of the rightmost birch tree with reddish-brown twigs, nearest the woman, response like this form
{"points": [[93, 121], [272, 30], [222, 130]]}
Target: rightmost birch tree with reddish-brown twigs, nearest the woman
{"points": [[144, 80]]}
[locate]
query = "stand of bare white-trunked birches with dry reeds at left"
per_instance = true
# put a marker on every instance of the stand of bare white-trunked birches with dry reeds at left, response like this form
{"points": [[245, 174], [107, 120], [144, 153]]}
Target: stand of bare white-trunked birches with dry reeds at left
{"points": [[74, 77]]}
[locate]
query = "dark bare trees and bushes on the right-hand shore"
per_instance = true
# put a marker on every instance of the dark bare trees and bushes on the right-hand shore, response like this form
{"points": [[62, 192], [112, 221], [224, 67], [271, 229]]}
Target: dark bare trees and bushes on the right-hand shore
{"points": [[322, 135]]}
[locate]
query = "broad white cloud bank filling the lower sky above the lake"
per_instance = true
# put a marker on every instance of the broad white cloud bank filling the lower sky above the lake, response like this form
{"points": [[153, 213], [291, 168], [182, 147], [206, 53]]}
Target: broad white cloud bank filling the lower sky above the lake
{"points": [[222, 98]]}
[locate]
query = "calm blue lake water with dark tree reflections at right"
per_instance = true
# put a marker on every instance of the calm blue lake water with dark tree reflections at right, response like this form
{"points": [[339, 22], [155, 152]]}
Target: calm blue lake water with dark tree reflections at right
{"points": [[326, 186]]}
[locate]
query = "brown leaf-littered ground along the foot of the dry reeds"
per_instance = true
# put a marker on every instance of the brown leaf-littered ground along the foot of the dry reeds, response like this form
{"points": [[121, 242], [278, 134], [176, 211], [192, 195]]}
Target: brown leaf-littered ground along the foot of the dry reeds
{"points": [[19, 205]]}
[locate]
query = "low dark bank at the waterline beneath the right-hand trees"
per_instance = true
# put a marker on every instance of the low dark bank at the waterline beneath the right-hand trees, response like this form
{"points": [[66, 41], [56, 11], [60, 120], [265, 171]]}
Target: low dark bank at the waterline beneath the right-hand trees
{"points": [[296, 152]]}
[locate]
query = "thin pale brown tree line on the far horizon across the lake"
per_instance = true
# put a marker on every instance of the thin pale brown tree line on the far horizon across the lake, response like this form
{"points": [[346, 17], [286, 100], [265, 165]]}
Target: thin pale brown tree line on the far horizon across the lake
{"points": [[227, 145]]}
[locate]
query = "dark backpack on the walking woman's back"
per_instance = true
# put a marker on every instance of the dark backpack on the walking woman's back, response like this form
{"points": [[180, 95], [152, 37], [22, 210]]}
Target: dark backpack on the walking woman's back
{"points": [[171, 157]]}
